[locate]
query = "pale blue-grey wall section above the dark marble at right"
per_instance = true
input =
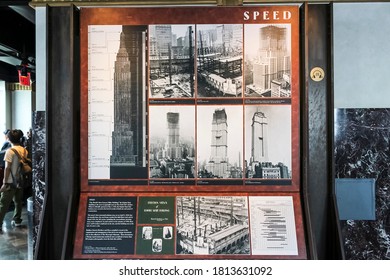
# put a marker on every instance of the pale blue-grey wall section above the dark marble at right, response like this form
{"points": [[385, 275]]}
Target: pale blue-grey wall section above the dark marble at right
{"points": [[361, 55]]}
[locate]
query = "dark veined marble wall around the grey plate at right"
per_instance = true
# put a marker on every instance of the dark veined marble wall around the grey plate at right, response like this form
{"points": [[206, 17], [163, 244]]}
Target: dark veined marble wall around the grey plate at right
{"points": [[362, 150]]}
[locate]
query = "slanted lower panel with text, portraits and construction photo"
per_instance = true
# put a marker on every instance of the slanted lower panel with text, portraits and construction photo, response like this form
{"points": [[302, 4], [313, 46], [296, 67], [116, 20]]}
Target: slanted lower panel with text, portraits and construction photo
{"points": [[182, 226]]}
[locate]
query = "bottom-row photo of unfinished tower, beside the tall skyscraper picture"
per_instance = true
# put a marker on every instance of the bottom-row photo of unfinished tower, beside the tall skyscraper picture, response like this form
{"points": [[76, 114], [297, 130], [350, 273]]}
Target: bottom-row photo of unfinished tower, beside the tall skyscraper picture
{"points": [[172, 142]]}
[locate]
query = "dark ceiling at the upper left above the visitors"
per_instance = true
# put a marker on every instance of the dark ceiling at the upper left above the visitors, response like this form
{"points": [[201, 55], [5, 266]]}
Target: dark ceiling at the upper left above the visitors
{"points": [[17, 38]]}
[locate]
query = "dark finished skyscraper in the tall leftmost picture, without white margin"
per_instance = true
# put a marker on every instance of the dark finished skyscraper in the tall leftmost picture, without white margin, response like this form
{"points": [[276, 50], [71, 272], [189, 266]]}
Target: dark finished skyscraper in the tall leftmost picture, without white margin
{"points": [[128, 136]]}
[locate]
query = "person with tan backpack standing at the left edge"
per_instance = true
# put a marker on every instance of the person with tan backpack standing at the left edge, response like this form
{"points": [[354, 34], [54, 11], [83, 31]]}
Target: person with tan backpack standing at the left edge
{"points": [[10, 189]]}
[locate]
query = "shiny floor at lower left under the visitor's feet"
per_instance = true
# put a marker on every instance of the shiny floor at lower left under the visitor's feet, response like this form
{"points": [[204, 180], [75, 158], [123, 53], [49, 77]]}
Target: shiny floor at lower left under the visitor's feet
{"points": [[14, 241]]}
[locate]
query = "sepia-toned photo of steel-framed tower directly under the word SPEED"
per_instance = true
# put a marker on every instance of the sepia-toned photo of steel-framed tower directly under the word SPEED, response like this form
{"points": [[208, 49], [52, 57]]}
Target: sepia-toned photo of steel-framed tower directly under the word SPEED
{"points": [[267, 60]]}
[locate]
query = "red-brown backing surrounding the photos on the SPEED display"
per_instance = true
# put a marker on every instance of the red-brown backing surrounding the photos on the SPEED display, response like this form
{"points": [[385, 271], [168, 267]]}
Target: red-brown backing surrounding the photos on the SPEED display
{"points": [[189, 15]]}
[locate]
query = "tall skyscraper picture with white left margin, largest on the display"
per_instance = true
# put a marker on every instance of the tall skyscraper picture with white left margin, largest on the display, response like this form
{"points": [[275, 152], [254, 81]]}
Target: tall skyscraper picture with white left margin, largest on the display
{"points": [[116, 113]]}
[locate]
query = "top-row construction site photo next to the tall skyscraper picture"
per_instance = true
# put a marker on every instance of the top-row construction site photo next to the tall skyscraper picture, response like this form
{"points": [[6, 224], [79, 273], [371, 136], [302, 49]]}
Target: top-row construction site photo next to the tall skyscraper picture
{"points": [[172, 61]]}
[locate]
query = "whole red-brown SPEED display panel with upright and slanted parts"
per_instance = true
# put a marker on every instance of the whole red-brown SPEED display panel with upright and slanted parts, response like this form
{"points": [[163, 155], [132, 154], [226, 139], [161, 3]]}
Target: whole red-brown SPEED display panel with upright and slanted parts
{"points": [[190, 133]]}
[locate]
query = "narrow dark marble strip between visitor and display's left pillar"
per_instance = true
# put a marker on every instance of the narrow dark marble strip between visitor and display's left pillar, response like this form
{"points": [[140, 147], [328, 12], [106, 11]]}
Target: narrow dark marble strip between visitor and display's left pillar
{"points": [[38, 151]]}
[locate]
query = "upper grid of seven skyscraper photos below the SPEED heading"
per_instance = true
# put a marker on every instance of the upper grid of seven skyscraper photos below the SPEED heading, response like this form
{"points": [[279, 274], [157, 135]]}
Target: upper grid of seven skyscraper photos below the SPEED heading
{"points": [[204, 103]]}
